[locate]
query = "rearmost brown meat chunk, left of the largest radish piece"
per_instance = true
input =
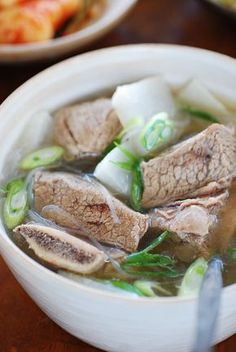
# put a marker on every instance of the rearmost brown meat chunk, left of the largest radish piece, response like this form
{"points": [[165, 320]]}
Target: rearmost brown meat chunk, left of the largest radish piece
{"points": [[87, 128]]}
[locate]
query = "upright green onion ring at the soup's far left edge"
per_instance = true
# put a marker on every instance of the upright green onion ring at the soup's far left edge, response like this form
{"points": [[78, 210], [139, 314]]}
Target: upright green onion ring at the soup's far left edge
{"points": [[16, 204]]}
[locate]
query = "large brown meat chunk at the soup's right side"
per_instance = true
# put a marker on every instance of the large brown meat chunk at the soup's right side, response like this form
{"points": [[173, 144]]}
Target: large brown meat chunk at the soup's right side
{"points": [[190, 168]]}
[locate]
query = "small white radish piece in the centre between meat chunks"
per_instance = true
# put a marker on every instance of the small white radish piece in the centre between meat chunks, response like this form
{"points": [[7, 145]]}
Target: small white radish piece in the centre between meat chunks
{"points": [[111, 175]]}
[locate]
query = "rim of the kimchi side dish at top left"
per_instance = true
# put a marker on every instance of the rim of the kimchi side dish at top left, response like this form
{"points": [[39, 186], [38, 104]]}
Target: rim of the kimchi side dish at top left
{"points": [[83, 35]]}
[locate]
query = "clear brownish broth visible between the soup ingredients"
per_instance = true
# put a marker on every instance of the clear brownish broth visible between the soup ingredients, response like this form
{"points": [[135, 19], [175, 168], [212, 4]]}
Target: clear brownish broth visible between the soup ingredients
{"points": [[222, 237]]}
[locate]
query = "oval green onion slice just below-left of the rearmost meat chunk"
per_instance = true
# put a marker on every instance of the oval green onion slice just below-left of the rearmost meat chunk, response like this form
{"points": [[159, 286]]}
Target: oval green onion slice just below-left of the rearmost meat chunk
{"points": [[42, 157]]}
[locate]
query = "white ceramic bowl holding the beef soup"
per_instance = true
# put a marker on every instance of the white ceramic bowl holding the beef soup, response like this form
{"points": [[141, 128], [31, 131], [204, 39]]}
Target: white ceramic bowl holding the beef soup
{"points": [[107, 320]]}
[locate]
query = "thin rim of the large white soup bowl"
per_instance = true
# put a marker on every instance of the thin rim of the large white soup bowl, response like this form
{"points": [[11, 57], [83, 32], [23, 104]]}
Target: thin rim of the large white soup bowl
{"points": [[52, 70]]}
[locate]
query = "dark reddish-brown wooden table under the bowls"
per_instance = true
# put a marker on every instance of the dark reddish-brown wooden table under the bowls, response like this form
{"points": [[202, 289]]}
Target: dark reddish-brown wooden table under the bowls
{"points": [[23, 327]]}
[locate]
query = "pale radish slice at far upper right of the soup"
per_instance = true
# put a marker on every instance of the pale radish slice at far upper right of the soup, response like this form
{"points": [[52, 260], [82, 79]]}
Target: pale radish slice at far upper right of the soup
{"points": [[196, 95]]}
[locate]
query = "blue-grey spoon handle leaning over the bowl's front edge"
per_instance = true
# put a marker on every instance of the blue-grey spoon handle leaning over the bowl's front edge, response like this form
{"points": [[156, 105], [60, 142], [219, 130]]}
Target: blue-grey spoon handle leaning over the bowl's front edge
{"points": [[208, 305]]}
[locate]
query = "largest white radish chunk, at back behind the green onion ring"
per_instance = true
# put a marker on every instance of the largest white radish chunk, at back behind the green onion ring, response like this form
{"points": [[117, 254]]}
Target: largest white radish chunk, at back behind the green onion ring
{"points": [[143, 99]]}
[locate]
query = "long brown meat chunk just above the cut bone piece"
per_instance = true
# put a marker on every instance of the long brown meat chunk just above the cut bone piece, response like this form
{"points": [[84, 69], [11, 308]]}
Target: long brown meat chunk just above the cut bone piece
{"points": [[84, 204]]}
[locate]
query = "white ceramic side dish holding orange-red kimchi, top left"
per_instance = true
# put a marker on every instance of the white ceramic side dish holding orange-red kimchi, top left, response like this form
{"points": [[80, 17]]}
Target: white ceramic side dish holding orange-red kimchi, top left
{"points": [[115, 11]]}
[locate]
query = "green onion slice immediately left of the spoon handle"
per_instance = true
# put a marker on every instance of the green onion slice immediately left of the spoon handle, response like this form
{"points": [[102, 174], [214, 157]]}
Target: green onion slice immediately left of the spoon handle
{"points": [[193, 277]]}
